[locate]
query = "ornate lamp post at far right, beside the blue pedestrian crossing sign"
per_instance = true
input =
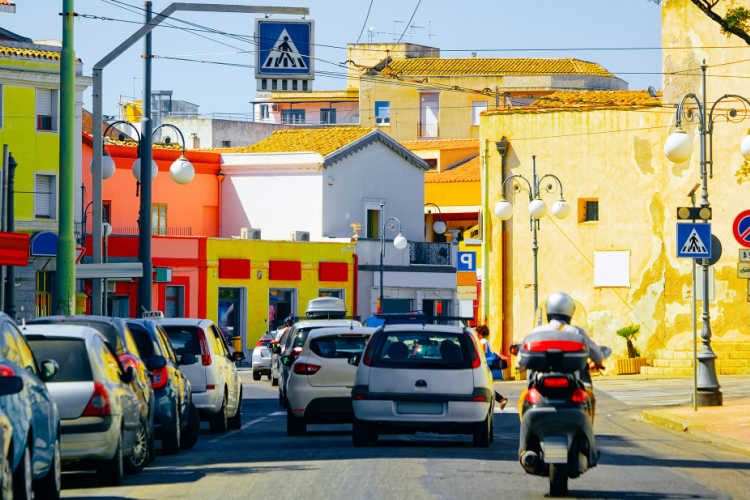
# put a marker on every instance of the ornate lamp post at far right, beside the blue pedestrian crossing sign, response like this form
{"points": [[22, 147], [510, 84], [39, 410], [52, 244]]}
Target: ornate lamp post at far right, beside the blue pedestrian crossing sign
{"points": [[678, 148]]}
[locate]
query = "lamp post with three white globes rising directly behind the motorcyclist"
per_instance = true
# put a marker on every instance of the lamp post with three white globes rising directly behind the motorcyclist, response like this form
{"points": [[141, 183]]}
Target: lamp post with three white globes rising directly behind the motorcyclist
{"points": [[537, 210]]}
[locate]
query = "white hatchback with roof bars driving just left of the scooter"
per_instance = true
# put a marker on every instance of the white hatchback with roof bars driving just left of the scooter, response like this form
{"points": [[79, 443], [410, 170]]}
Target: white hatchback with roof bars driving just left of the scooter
{"points": [[415, 377]]}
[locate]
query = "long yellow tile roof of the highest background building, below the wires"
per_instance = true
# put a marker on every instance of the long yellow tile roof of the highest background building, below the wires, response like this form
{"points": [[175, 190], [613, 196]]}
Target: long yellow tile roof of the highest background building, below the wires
{"points": [[431, 66]]}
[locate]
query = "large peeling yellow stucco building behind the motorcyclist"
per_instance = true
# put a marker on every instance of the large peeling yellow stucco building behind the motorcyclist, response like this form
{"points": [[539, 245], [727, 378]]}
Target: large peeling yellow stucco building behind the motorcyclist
{"points": [[616, 252]]}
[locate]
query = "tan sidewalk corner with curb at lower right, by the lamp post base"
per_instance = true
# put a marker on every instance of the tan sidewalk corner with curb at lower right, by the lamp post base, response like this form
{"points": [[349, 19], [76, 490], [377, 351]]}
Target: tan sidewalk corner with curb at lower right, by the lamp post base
{"points": [[727, 426]]}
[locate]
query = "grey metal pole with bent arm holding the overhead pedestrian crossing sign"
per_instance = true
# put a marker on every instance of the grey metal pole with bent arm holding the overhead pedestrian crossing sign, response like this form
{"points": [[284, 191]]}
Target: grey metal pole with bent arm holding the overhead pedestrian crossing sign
{"points": [[98, 74]]}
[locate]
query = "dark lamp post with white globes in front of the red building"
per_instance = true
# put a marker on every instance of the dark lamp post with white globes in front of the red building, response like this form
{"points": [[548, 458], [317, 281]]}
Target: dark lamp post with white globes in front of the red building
{"points": [[181, 171]]}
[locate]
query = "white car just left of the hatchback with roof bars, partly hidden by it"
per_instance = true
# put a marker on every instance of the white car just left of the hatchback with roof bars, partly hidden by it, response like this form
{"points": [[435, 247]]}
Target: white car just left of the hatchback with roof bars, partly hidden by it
{"points": [[321, 379]]}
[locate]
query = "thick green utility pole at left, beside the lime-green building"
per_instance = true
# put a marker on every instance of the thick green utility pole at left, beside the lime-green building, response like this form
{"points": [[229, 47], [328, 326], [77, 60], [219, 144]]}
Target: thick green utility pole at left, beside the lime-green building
{"points": [[65, 279]]}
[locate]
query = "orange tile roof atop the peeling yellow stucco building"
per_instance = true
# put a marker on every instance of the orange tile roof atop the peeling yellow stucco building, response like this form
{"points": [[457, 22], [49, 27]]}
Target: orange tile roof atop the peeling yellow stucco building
{"points": [[581, 100]]}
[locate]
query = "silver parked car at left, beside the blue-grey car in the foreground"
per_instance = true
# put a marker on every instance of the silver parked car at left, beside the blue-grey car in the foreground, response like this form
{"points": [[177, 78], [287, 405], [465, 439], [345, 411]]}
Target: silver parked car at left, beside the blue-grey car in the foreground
{"points": [[102, 424]]}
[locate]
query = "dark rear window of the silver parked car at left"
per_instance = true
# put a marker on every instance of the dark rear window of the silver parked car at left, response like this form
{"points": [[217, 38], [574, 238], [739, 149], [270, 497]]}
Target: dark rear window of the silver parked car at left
{"points": [[70, 354]]}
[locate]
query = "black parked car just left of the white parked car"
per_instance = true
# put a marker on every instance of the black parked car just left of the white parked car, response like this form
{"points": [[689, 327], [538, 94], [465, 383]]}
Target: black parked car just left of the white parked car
{"points": [[176, 421]]}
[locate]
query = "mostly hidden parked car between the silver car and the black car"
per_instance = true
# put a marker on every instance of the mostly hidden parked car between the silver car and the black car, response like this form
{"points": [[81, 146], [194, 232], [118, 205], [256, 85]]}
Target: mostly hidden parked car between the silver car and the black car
{"points": [[120, 340]]}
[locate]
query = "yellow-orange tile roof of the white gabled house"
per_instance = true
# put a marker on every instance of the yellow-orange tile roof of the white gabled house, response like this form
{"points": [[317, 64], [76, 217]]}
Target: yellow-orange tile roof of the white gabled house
{"points": [[320, 140]]}
